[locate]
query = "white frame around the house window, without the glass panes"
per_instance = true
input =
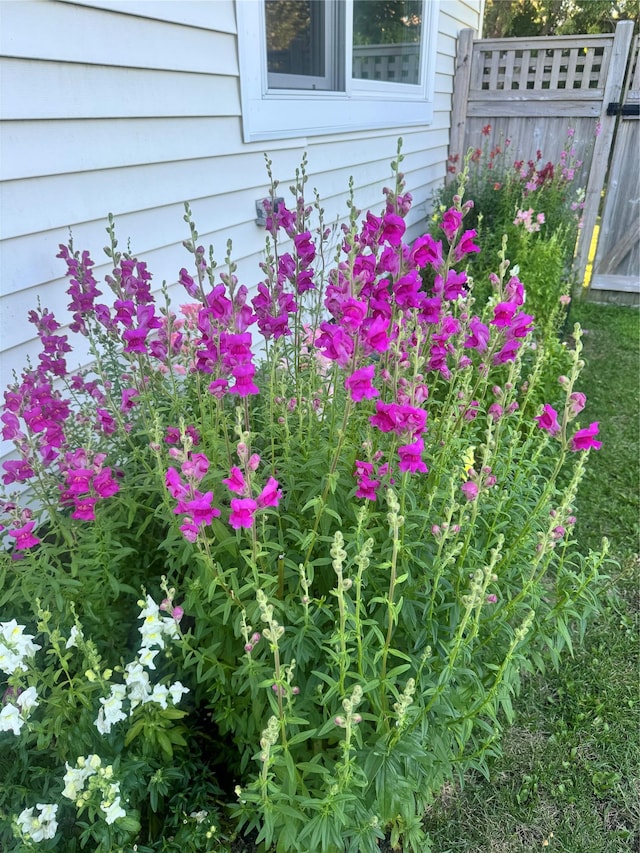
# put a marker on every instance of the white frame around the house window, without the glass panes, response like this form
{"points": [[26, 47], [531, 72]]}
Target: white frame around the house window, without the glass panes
{"points": [[363, 105]]}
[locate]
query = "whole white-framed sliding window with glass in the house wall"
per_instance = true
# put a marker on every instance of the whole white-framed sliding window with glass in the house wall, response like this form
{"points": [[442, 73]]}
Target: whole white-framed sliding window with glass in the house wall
{"points": [[325, 66]]}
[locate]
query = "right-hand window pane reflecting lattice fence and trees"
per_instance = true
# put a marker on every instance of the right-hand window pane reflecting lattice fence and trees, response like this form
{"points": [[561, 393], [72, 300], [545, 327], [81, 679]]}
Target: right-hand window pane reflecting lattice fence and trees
{"points": [[386, 40]]}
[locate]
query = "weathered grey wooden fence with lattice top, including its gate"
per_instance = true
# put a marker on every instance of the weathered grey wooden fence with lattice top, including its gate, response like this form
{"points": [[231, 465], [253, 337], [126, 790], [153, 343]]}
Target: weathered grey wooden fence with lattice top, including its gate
{"points": [[533, 92]]}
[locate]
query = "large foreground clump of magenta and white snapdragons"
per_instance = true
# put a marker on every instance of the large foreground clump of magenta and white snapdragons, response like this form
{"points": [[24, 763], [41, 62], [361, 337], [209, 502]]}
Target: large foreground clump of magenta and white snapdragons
{"points": [[362, 535]]}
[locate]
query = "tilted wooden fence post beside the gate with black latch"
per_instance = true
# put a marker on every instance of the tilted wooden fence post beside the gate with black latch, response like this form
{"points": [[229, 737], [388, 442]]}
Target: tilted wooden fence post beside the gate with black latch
{"points": [[603, 143]]}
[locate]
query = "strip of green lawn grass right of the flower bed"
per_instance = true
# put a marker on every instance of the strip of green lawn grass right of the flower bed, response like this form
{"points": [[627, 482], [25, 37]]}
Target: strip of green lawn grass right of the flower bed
{"points": [[569, 776]]}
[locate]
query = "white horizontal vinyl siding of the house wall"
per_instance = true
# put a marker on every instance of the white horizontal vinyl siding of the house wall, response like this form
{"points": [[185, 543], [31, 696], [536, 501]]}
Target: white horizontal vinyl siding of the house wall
{"points": [[133, 107]]}
